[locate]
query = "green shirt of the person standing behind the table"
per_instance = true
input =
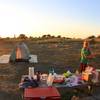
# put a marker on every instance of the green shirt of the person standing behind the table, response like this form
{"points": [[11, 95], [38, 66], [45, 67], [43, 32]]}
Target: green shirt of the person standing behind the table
{"points": [[84, 53]]}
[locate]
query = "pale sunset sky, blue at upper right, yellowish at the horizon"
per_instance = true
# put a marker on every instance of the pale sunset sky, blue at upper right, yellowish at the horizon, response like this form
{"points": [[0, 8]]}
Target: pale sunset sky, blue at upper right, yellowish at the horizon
{"points": [[69, 18]]}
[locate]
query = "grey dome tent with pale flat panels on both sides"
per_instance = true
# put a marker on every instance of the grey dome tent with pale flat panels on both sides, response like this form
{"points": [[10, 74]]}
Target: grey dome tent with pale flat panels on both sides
{"points": [[19, 54]]}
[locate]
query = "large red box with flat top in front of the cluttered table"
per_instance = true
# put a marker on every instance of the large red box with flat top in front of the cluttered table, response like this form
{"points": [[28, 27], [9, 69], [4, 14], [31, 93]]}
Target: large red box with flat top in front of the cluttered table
{"points": [[43, 93]]}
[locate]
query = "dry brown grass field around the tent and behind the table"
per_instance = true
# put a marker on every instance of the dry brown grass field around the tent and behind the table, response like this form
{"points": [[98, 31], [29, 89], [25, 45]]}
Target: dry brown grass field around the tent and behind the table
{"points": [[57, 53]]}
